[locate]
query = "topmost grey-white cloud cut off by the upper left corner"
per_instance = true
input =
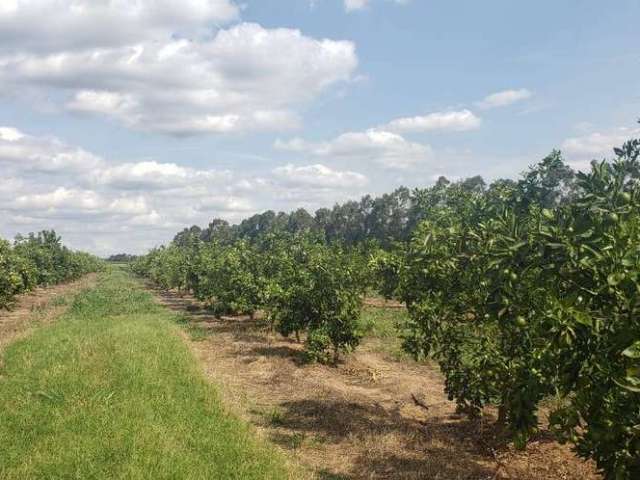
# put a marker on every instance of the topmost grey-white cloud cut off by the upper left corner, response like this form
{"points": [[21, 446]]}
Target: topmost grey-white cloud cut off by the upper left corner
{"points": [[55, 25]]}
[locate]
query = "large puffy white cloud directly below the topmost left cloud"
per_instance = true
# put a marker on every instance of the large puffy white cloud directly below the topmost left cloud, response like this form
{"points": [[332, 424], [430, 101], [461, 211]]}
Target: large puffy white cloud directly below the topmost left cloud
{"points": [[243, 78]]}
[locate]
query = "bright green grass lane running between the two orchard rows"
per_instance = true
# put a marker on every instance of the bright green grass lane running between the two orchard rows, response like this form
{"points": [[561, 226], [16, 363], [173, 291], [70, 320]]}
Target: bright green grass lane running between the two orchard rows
{"points": [[111, 391]]}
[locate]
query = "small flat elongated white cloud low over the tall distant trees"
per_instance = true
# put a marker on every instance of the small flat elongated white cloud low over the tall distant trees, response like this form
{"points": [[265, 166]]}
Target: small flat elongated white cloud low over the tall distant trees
{"points": [[319, 176]]}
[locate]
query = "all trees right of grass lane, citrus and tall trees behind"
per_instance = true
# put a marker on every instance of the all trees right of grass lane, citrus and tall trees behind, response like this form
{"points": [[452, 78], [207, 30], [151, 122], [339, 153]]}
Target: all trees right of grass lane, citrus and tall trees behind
{"points": [[520, 290]]}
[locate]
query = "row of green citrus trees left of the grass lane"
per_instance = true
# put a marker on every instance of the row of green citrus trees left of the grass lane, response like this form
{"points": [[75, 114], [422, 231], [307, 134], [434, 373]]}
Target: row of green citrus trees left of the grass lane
{"points": [[39, 260]]}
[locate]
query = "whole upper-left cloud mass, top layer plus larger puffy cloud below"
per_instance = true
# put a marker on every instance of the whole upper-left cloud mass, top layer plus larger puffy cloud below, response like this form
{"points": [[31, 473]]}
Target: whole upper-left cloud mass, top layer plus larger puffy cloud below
{"points": [[164, 66]]}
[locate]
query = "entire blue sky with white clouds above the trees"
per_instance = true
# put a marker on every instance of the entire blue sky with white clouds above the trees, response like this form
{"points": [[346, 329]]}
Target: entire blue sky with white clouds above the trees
{"points": [[124, 121]]}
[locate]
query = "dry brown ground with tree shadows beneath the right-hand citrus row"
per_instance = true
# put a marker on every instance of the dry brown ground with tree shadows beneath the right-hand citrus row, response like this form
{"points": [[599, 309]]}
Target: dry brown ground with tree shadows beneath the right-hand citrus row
{"points": [[359, 420]]}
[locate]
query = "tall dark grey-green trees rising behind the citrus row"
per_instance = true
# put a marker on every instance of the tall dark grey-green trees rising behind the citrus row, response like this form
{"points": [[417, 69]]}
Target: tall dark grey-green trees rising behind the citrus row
{"points": [[391, 217]]}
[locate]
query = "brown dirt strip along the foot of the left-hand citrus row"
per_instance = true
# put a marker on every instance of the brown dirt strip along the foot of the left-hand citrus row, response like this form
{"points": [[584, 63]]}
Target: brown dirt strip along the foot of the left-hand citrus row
{"points": [[40, 305]]}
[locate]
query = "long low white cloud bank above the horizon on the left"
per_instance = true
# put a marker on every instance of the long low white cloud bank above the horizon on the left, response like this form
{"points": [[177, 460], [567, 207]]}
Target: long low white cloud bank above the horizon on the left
{"points": [[106, 206]]}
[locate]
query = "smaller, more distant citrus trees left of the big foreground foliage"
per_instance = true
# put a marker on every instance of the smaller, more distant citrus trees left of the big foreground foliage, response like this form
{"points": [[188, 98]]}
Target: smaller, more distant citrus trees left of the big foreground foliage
{"points": [[303, 285]]}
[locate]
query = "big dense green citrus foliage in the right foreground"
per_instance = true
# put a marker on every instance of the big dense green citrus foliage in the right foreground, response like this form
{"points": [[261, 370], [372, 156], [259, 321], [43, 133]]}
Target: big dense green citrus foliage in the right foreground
{"points": [[530, 293]]}
